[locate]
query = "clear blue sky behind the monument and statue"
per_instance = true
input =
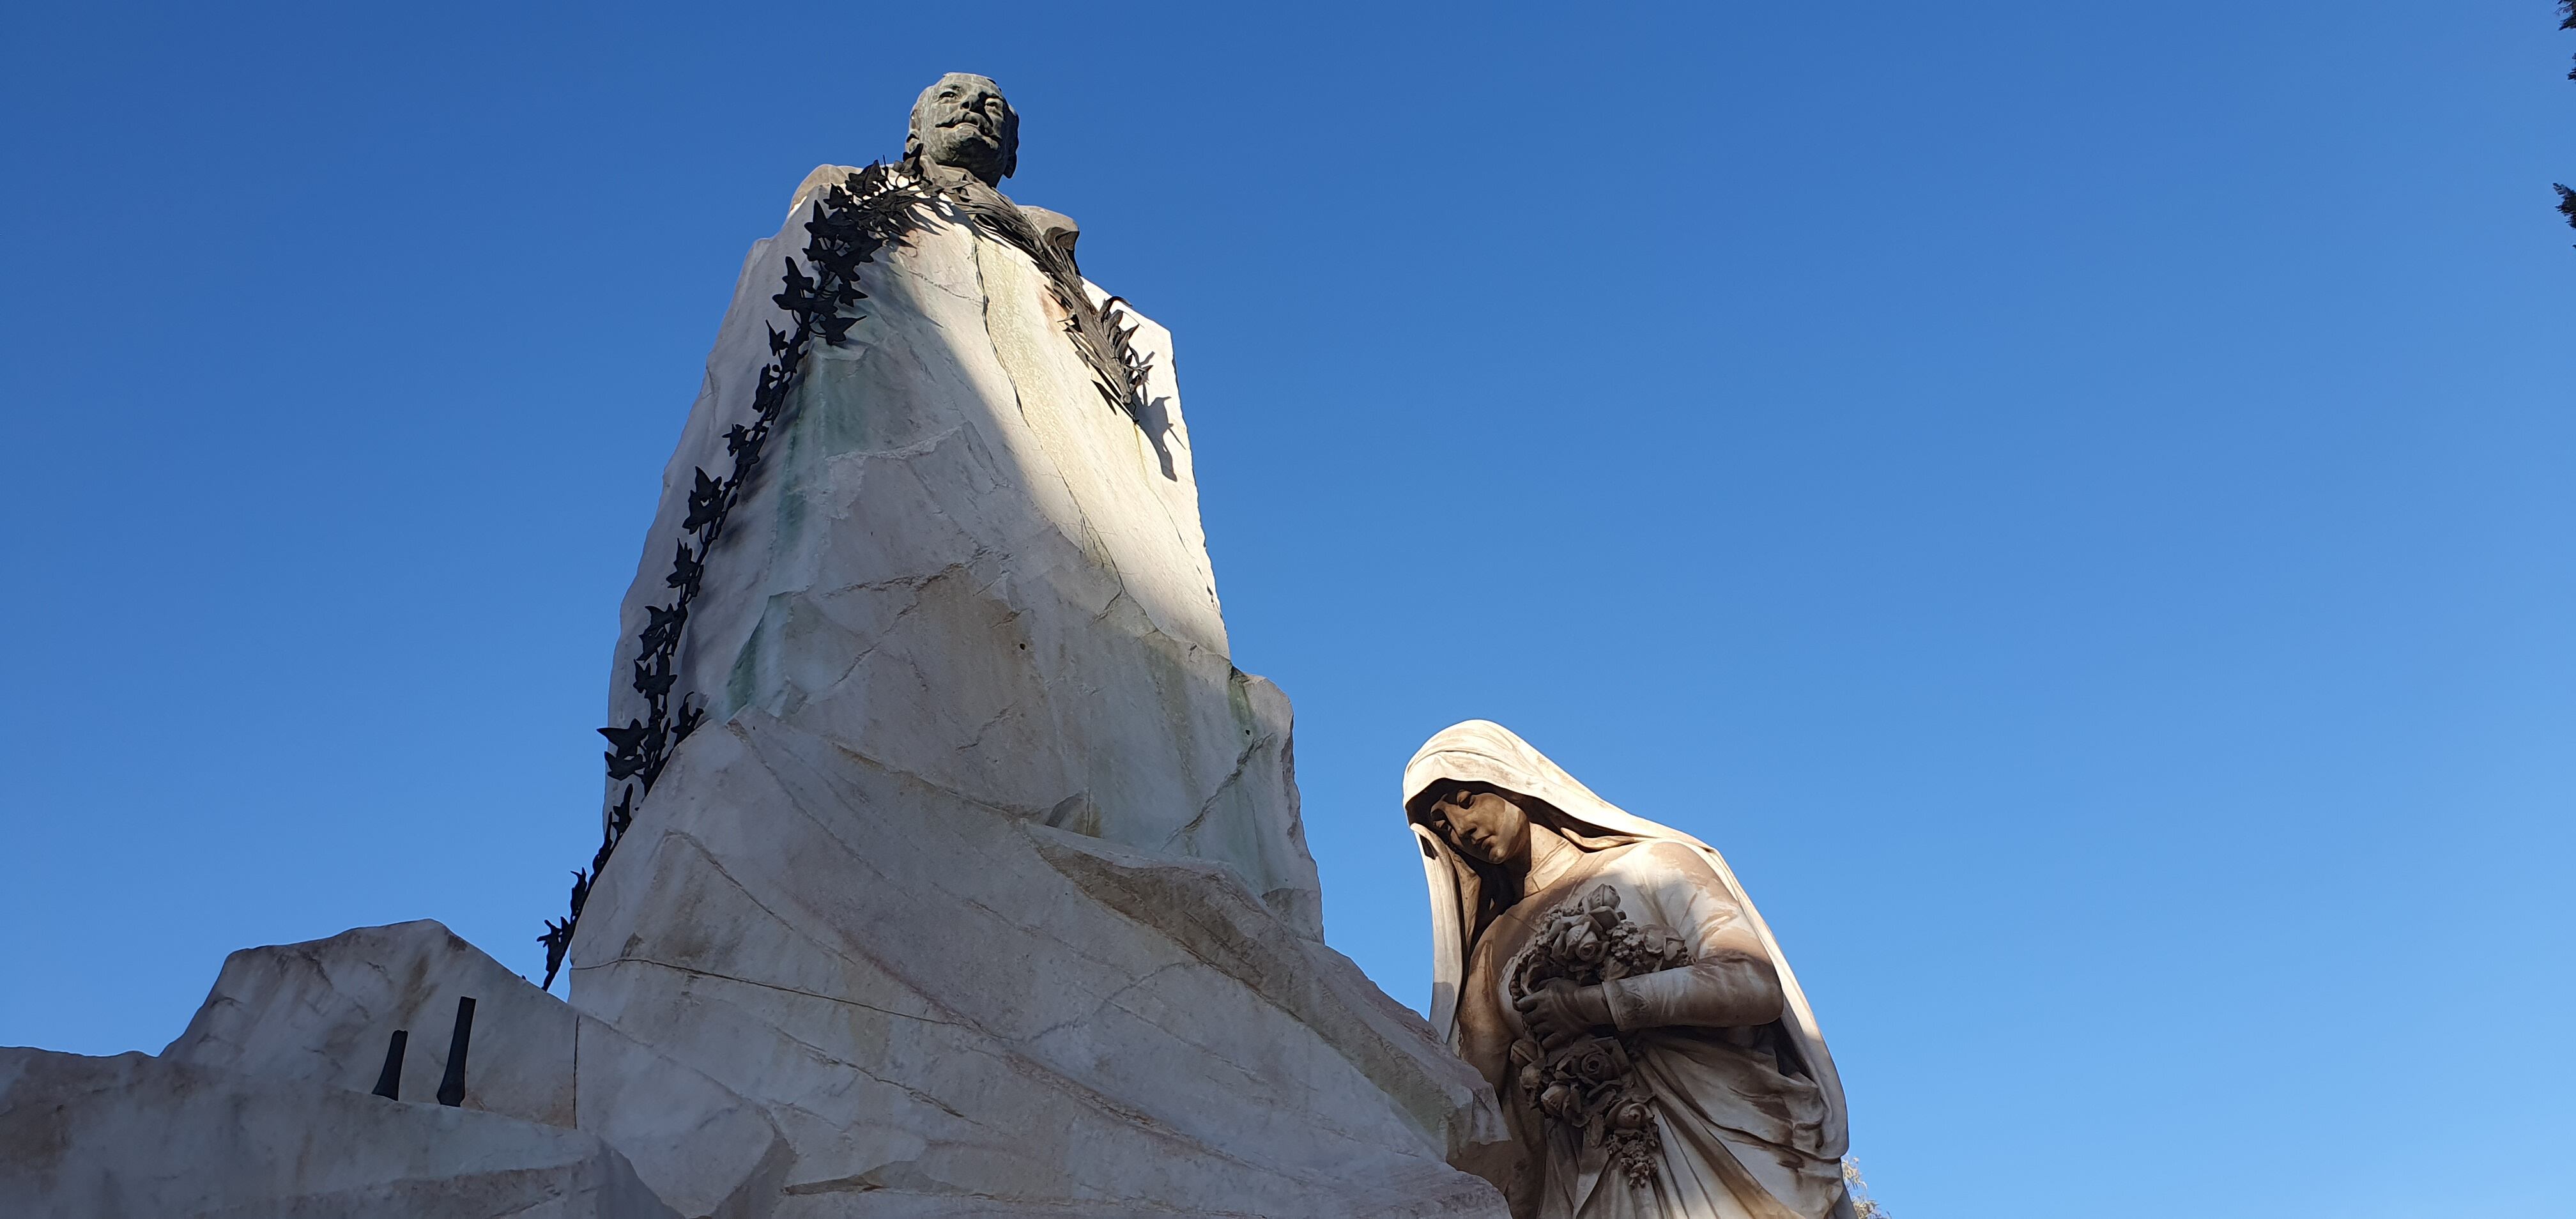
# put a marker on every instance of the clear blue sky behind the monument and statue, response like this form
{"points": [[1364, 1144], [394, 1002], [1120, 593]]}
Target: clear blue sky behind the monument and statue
{"points": [[2072, 499]]}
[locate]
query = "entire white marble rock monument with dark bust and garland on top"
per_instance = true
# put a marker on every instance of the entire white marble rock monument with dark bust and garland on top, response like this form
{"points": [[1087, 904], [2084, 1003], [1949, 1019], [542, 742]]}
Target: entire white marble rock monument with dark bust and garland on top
{"points": [[970, 875]]}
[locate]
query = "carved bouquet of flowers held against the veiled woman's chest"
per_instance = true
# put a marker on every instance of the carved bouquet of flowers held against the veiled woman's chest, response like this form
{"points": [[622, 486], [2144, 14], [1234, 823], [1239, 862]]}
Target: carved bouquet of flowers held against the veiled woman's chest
{"points": [[1588, 1081]]}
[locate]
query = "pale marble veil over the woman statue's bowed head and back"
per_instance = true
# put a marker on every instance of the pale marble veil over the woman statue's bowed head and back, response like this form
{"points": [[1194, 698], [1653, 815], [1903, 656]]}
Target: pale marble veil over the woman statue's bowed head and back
{"points": [[1482, 751]]}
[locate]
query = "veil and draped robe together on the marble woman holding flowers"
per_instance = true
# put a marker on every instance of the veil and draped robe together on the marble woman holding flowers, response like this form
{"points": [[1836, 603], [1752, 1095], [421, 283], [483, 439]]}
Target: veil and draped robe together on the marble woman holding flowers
{"points": [[1740, 1135]]}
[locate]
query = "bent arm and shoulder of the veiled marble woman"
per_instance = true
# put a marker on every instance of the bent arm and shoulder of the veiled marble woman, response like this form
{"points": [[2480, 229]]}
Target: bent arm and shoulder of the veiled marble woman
{"points": [[1730, 981]]}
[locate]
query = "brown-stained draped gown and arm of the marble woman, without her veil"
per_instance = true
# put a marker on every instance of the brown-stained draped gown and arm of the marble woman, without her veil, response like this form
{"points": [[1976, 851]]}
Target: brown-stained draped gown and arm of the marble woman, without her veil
{"points": [[1738, 1112]]}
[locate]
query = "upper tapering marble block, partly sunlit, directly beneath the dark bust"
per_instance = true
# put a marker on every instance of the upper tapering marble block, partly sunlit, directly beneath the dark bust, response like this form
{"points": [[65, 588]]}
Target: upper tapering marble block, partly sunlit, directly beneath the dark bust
{"points": [[960, 563]]}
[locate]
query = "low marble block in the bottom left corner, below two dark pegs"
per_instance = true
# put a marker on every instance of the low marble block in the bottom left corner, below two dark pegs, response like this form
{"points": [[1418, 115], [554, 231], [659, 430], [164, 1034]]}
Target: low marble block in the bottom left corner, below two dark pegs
{"points": [[148, 1138]]}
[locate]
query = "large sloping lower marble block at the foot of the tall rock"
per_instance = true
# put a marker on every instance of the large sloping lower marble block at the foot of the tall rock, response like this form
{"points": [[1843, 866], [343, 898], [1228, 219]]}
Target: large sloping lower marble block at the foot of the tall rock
{"points": [[949, 1006]]}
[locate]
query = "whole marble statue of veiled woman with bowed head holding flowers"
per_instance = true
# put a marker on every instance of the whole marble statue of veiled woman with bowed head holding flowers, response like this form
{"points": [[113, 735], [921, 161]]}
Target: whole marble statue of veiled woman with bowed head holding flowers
{"points": [[1609, 975]]}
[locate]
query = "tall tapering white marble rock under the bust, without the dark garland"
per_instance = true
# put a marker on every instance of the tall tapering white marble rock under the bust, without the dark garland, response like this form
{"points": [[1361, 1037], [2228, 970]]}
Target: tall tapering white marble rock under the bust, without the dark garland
{"points": [[985, 878]]}
